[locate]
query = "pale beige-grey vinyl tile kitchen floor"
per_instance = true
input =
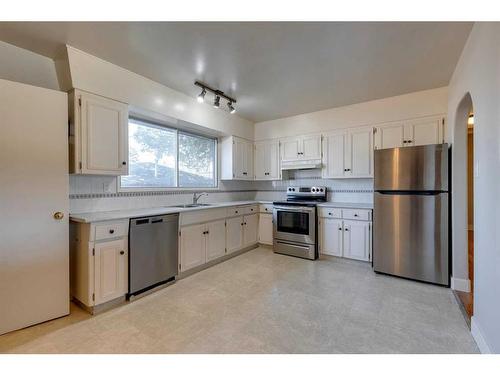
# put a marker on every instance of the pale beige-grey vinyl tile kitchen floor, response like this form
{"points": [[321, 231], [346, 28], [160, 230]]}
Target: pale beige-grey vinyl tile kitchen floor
{"points": [[261, 302]]}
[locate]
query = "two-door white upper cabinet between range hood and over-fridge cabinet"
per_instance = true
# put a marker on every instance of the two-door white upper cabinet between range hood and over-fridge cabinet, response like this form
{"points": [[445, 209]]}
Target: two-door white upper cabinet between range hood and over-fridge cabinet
{"points": [[348, 153]]}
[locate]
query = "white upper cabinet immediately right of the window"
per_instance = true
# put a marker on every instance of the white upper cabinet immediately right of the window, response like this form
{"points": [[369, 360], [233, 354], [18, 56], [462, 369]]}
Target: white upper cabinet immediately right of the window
{"points": [[236, 159]]}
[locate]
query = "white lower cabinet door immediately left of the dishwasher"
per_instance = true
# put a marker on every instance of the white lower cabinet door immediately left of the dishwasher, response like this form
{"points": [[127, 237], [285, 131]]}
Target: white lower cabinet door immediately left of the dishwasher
{"points": [[110, 270]]}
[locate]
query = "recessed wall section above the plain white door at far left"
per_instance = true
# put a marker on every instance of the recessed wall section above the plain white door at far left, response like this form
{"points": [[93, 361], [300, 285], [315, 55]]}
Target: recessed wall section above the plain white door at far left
{"points": [[20, 65]]}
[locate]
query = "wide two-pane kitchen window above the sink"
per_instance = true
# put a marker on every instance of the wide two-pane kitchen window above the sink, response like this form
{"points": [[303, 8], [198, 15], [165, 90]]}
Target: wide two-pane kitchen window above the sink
{"points": [[161, 157]]}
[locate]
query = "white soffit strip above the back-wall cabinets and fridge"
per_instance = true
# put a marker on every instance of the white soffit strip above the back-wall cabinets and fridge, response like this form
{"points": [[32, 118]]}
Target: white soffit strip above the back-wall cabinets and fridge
{"points": [[413, 105]]}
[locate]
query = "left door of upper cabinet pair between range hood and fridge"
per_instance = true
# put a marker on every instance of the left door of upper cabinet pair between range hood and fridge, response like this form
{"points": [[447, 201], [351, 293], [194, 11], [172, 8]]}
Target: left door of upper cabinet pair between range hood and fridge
{"points": [[334, 150]]}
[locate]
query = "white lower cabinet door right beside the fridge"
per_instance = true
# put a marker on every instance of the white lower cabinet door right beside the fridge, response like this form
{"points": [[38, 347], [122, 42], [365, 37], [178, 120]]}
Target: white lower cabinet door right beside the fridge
{"points": [[357, 240]]}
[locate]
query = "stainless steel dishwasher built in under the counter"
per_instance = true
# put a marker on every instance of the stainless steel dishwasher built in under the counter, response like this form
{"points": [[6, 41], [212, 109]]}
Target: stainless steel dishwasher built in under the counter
{"points": [[152, 252]]}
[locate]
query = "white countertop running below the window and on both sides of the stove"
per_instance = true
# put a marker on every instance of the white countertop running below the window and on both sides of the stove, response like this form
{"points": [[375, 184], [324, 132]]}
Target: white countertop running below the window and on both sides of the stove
{"points": [[91, 217]]}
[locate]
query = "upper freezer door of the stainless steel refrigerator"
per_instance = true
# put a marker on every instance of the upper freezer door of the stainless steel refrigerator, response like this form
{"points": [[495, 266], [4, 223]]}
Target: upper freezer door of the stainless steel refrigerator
{"points": [[412, 168]]}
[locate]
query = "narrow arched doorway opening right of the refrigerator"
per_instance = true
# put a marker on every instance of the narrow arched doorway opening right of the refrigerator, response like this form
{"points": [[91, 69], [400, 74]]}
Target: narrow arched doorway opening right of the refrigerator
{"points": [[462, 204]]}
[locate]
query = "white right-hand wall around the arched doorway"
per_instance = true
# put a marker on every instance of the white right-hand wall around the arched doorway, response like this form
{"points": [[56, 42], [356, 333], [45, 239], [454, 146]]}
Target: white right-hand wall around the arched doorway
{"points": [[478, 73]]}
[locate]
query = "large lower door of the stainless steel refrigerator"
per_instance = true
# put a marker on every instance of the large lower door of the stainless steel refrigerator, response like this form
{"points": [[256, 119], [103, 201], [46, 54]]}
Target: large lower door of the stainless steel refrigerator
{"points": [[410, 236]]}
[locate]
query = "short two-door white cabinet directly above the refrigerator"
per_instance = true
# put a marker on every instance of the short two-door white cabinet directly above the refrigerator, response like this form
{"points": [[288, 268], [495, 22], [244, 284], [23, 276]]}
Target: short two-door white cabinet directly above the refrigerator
{"points": [[410, 133]]}
